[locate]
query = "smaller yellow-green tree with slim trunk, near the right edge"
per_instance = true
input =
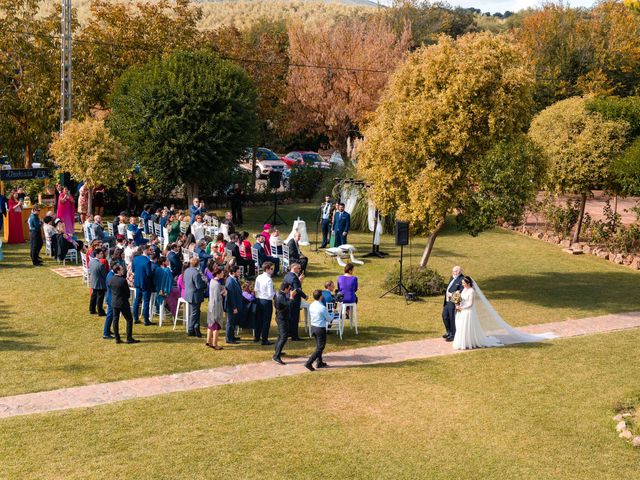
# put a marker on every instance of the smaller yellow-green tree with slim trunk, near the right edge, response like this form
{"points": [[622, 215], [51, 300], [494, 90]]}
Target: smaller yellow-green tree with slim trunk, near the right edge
{"points": [[580, 147]]}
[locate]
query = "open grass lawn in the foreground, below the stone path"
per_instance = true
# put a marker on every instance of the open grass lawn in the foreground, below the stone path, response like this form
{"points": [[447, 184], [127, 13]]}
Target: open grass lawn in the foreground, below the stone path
{"points": [[530, 412]]}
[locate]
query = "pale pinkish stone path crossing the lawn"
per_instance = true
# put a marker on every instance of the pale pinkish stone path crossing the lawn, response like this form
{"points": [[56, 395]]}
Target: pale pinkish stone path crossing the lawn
{"points": [[105, 393]]}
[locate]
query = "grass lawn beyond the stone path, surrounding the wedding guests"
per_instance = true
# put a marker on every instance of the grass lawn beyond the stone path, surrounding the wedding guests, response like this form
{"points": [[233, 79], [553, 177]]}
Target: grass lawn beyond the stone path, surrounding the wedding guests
{"points": [[48, 340]]}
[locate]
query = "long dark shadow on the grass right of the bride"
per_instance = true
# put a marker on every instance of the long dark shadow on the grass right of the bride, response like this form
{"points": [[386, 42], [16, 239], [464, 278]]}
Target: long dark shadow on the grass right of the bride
{"points": [[581, 291]]}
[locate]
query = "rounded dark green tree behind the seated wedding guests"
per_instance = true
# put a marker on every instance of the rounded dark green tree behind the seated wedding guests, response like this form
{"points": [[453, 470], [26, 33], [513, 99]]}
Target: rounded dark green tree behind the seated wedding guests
{"points": [[187, 118]]}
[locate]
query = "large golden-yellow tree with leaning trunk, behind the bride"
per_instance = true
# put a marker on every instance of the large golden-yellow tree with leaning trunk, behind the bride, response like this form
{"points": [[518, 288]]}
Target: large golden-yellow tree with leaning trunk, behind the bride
{"points": [[432, 144]]}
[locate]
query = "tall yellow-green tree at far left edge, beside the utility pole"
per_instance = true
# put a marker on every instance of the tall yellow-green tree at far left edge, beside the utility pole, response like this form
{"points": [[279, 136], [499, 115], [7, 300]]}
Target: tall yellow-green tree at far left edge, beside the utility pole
{"points": [[29, 77]]}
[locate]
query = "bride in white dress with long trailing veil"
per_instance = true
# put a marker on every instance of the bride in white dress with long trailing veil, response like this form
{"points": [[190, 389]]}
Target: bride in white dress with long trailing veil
{"points": [[478, 325]]}
